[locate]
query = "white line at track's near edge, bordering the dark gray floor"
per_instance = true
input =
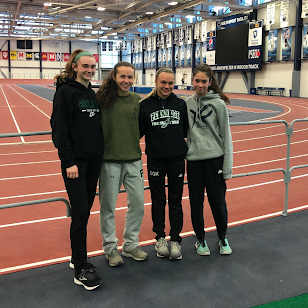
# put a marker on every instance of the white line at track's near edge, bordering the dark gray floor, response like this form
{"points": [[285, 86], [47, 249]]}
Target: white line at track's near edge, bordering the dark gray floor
{"points": [[148, 242]]}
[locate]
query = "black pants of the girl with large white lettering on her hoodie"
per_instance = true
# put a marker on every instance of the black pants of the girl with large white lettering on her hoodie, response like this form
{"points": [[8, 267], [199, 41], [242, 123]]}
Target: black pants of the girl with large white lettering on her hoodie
{"points": [[157, 169]]}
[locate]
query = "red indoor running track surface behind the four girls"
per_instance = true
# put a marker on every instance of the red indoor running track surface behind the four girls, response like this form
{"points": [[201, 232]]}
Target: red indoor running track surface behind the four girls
{"points": [[31, 171]]}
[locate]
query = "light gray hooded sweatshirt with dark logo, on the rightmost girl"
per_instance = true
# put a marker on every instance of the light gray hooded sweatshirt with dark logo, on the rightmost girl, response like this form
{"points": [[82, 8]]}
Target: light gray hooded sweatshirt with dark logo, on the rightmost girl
{"points": [[209, 134]]}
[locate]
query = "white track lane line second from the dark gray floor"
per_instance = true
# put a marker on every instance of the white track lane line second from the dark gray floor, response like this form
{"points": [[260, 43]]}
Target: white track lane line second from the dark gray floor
{"points": [[125, 207]]}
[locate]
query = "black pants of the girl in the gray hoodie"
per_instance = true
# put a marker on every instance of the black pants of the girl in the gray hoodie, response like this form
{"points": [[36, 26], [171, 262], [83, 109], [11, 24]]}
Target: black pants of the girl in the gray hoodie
{"points": [[207, 174]]}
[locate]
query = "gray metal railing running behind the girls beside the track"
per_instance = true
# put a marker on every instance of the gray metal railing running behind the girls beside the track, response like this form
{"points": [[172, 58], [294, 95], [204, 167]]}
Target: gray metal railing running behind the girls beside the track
{"points": [[287, 171]]}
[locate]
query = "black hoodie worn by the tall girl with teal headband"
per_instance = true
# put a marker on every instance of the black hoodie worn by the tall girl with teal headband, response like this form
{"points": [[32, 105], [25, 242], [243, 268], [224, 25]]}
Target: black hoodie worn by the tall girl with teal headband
{"points": [[75, 123]]}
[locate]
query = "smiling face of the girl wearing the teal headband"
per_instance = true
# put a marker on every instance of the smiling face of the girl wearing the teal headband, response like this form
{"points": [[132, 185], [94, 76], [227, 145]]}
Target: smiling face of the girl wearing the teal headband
{"points": [[85, 69]]}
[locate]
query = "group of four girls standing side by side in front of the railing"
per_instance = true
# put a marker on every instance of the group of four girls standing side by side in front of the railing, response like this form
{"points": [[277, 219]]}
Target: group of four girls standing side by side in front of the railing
{"points": [[97, 136]]}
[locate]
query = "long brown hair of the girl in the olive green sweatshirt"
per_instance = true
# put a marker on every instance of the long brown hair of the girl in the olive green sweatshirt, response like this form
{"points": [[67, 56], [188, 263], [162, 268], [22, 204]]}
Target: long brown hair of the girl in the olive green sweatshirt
{"points": [[107, 92]]}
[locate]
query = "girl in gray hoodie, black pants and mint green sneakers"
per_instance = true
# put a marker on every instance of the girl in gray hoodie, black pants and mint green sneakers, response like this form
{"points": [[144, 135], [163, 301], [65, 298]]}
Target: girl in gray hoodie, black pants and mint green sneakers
{"points": [[209, 156]]}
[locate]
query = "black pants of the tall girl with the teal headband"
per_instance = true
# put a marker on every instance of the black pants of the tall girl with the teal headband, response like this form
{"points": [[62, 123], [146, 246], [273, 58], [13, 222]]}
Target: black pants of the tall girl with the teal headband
{"points": [[81, 192]]}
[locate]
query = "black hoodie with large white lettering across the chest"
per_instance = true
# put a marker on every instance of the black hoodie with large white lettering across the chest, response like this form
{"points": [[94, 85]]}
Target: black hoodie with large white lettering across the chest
{"points": [[164, 123]]}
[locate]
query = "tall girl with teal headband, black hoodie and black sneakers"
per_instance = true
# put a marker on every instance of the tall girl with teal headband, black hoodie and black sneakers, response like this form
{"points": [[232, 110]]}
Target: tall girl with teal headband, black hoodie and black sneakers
{"points": [[77, 134]]}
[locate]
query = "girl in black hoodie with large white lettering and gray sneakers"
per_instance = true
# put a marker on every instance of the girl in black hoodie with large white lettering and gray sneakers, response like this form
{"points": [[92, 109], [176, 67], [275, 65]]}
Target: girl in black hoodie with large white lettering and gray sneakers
{"points": [[164, 123]]}
